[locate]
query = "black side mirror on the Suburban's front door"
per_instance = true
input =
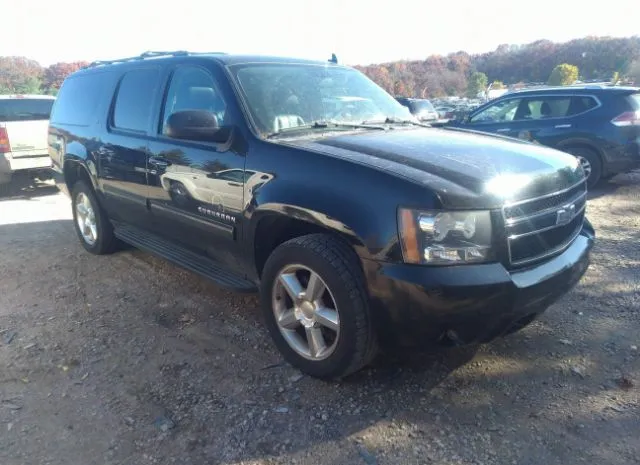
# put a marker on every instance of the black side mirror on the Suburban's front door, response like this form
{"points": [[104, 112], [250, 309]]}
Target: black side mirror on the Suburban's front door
{"points": [[196, 125]]}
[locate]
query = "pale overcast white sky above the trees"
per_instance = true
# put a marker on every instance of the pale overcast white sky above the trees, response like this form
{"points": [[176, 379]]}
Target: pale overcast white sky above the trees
{"points": [[359, 32]]}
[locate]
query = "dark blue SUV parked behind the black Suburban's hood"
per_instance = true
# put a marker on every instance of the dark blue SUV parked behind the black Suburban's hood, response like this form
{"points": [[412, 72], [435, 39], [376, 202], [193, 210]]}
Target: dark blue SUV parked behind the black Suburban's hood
{"points": [[598, 124]]}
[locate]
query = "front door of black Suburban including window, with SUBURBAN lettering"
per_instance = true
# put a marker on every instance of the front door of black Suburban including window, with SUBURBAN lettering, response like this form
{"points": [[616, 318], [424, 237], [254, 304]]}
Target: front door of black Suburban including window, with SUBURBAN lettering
{"points": [[196, 189]]}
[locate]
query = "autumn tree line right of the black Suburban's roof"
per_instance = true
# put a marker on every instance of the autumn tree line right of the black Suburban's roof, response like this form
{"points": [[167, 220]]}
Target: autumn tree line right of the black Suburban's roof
{"points": [[543, 61]]}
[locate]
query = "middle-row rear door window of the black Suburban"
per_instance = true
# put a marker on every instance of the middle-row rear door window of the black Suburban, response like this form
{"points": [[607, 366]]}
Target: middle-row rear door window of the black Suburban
{"points": [[137, 89]]}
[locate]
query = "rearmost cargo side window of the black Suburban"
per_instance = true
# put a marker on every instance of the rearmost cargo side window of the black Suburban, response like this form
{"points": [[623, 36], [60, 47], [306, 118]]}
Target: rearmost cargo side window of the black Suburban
{"points": [[78, 99]]}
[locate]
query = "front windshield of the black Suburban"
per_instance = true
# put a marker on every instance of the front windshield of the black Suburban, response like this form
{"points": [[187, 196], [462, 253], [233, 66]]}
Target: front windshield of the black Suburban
{"points": [[282, 96]]}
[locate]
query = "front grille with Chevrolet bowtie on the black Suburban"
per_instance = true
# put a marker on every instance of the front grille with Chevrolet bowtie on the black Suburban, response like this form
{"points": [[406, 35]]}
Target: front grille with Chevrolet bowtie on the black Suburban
{"points": [[544, 226]]}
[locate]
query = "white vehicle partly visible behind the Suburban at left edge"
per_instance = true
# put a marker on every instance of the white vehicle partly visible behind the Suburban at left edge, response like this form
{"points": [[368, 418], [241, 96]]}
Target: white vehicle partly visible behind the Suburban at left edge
{"points": [[24, 121]]}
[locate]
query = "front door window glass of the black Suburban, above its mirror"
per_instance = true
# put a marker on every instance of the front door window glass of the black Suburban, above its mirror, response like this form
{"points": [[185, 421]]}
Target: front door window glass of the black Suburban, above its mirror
{"points": [[193, 88]]}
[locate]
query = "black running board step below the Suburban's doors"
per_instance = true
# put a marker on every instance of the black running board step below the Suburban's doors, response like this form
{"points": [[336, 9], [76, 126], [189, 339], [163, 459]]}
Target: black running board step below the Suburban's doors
{"points": [[183, 257]]}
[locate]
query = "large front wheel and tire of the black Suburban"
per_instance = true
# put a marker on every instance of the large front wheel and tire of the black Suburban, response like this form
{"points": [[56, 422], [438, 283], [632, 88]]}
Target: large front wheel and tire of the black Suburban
{"points": [[316, 306]]}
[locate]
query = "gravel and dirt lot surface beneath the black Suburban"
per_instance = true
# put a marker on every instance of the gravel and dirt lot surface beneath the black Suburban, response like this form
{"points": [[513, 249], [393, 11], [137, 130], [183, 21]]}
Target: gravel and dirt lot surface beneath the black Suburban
{"points": [[126, 359]]}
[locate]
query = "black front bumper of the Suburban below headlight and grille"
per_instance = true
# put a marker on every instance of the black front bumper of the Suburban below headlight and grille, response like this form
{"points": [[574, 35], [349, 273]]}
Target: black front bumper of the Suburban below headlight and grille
{"points": [[422, 306]]}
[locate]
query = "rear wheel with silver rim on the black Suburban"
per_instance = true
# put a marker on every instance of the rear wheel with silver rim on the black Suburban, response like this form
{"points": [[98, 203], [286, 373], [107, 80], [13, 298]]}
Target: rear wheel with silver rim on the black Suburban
{"points": [[91, 223]]}
